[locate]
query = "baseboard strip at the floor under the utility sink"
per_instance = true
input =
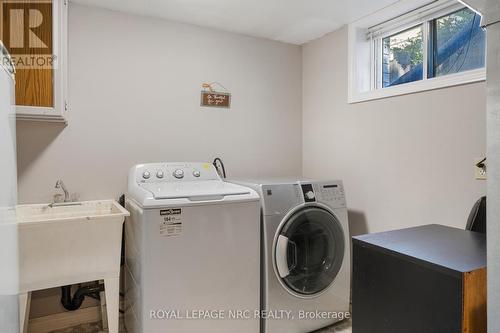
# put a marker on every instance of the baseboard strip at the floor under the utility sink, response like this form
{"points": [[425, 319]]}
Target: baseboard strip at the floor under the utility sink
{"points": [[64, 320]]}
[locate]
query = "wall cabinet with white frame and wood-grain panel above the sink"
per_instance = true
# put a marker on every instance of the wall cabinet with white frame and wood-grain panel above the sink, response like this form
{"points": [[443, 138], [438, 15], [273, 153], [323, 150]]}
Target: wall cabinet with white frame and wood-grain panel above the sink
{"points": [[35, 33]]}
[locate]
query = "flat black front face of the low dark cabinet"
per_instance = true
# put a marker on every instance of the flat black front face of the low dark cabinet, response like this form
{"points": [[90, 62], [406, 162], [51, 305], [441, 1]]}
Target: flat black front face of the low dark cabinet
{"points": [[392, 293]]}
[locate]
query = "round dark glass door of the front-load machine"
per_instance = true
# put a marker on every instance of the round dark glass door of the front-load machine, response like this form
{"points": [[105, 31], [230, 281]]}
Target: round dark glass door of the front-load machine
{"points": [[309, 251]]}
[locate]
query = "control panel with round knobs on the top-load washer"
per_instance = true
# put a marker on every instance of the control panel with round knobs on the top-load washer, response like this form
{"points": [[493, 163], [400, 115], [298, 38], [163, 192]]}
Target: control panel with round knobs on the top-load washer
{"points": [[174, 172]]}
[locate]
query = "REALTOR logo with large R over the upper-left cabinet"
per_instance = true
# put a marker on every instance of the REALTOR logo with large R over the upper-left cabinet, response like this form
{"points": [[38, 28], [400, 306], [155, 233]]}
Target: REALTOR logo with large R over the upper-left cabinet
{"points": [[26, 31]]}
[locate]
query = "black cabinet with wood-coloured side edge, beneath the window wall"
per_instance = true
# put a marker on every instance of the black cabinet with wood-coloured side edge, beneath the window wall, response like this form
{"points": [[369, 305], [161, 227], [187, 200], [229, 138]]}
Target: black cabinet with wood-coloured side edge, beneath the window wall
{"points": [[428, 279]]}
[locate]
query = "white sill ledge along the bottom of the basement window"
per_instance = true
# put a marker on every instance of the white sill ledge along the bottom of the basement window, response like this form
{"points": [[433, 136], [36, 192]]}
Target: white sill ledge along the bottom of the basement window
{"points": [[421, 86]]}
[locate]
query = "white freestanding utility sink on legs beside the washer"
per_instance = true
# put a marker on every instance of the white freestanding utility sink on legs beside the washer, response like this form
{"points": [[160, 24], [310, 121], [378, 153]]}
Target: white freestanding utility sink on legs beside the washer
{"points": [[68, 244]]}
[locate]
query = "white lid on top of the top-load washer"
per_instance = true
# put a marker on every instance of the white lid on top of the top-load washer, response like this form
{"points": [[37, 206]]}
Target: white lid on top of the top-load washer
{"points": [[195, 190]]}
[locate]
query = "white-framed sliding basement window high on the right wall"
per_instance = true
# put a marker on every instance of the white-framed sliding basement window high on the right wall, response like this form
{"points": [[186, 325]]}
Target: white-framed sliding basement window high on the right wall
{"points": [[436, 45]]}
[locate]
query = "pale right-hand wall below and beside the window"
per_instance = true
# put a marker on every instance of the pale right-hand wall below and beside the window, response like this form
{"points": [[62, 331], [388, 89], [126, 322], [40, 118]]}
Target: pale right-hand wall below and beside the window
{"points": [[405, 160]]}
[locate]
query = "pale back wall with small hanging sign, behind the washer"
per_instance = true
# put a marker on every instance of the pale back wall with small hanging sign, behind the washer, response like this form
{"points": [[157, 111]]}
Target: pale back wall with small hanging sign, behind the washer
{"points": [[134, 85]]}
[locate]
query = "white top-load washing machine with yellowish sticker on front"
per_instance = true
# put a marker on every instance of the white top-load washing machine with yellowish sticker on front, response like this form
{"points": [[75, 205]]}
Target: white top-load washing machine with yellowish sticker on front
{"points": [[192, 247]]}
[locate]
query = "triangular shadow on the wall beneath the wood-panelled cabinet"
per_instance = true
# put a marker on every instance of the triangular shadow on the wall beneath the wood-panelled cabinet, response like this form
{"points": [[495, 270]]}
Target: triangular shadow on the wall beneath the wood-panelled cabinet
{"points": [[32, 140]]}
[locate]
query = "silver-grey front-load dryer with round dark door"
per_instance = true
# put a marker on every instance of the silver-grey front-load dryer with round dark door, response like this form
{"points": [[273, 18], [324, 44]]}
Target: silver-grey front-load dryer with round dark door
{"points": [[305, 255]]}
